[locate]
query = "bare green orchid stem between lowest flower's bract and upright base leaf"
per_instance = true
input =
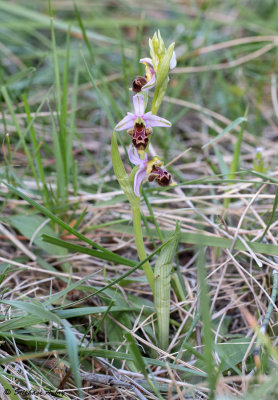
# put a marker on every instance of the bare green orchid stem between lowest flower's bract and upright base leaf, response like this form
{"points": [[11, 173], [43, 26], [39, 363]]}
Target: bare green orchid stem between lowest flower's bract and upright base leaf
{"points": [[140, 245]]}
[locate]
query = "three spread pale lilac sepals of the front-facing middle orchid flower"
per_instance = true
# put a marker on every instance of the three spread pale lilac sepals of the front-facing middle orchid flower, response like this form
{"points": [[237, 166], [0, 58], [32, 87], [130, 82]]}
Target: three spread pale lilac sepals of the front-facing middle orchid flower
{"points": [[149, 119]]}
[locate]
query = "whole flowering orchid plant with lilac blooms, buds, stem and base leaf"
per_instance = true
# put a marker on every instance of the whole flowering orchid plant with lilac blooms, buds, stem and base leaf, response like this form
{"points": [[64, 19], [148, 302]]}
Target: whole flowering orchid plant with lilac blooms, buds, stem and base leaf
{"points": [[139, 125]]}
